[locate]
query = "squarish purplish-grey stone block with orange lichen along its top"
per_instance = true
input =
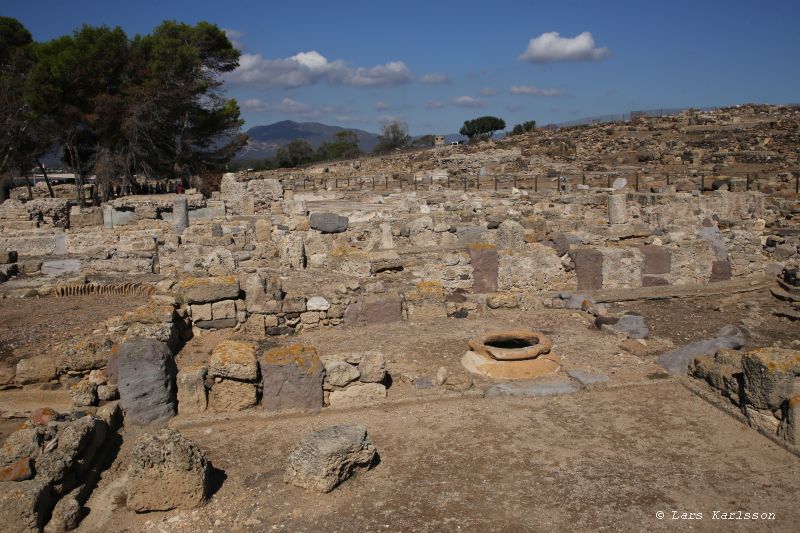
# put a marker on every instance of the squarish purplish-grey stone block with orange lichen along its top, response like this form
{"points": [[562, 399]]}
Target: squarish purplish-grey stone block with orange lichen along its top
{"points": [[292, 378]]}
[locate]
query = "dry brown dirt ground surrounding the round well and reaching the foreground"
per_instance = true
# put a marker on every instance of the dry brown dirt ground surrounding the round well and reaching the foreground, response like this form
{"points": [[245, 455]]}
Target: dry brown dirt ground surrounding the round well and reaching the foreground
{"points": [[606, 458]]}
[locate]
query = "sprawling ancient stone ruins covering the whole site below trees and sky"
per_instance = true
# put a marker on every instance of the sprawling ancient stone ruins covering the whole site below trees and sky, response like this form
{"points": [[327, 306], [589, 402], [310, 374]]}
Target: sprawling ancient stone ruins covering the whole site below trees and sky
{"points": [[363, 328]]}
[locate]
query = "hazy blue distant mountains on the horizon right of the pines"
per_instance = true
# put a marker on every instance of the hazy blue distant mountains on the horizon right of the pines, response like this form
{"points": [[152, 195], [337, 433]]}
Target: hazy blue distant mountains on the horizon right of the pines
{"points": [[265, 140]]}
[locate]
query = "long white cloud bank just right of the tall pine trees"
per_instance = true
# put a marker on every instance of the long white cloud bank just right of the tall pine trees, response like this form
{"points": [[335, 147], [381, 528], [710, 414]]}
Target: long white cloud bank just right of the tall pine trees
{"points": [[308, 68]]}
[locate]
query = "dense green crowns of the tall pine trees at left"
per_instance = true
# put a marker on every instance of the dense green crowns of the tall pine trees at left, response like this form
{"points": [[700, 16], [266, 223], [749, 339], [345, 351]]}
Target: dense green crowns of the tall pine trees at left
{"points": [[119, 107]]}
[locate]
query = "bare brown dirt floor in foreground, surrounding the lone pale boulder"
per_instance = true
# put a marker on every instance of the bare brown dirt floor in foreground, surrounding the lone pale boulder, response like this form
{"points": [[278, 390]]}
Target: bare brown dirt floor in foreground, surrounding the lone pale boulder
{"points": [[607, 459]]}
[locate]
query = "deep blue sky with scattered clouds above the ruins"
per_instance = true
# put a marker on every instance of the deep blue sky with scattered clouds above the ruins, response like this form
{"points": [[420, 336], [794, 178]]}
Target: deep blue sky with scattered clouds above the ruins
{"points": [[435, 64]]}
